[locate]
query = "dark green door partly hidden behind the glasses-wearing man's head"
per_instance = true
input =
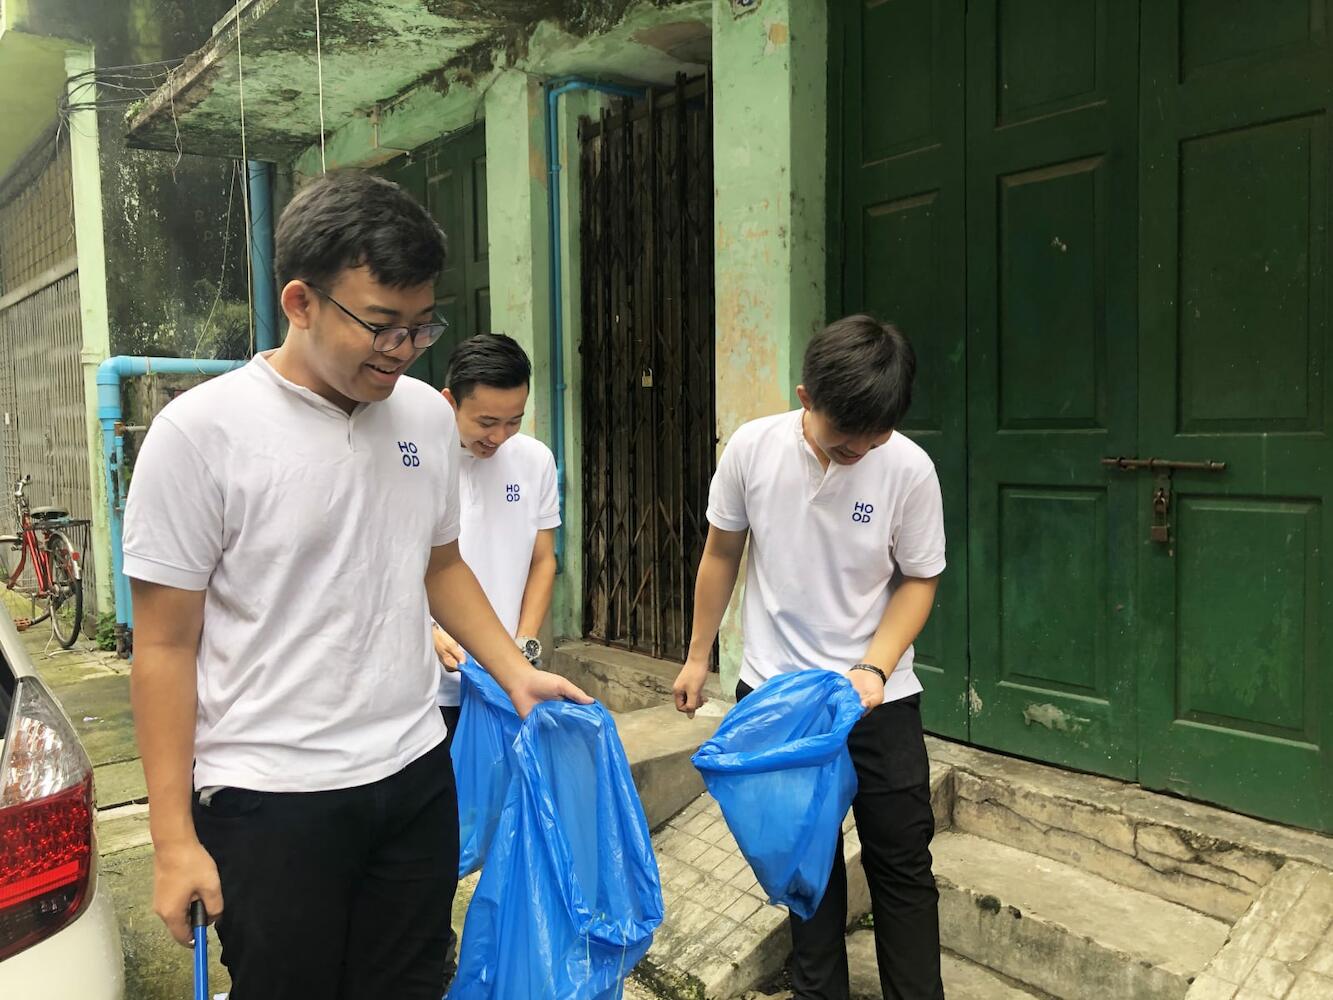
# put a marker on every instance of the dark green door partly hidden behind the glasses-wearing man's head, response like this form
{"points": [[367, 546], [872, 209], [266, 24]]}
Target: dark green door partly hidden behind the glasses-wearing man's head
{"points": [[450, 178]]}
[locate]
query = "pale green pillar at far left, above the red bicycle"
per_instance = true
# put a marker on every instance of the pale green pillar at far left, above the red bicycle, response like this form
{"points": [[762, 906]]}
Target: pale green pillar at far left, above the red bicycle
{"points": [[86, 169]]}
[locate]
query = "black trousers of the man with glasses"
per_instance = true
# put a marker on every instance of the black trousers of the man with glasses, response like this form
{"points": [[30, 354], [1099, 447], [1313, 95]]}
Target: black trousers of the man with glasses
{"points": [[338, 895]]}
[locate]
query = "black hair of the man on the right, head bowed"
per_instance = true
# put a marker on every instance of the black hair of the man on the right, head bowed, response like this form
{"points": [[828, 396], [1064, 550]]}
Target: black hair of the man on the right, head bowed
{"points": [[859, 374]]}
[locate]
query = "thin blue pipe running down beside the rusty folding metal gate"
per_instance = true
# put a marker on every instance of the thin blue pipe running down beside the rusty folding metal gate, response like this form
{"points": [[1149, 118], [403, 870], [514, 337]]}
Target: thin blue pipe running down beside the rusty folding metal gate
{"points": [[555, 91]]}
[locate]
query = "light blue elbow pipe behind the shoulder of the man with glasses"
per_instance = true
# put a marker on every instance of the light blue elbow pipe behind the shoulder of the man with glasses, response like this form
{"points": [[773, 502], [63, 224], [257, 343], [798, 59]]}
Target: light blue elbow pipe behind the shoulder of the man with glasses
{"points": [[110, 374]]}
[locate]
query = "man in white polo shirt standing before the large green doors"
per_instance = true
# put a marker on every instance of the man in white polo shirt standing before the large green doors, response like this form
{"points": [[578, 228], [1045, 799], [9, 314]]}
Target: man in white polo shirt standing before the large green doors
{"points": [[846, 533]]}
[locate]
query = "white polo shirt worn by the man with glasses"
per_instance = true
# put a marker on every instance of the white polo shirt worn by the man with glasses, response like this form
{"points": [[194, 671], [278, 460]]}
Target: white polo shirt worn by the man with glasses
{"points": [[310, 531]]}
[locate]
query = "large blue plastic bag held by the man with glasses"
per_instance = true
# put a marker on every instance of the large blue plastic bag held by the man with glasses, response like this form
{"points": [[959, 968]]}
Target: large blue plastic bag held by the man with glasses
{"points": [[570, 897]]}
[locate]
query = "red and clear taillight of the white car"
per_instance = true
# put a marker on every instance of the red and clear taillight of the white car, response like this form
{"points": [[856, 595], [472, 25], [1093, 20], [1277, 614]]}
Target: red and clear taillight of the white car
{"points": [[46, 822]]}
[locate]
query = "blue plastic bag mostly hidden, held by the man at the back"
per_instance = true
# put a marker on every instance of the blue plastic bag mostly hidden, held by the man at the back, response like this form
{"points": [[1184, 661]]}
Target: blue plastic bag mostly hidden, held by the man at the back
{"points": [[483, 762]]}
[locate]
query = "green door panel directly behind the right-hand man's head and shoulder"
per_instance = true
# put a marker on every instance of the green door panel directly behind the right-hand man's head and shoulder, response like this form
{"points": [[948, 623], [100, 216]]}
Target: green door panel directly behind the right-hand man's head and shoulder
{"points": [[900, 93]]}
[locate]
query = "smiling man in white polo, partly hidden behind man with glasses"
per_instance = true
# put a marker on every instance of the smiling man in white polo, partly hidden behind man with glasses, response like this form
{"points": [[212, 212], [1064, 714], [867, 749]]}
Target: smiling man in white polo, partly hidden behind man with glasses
{"points": [[510, 505]]}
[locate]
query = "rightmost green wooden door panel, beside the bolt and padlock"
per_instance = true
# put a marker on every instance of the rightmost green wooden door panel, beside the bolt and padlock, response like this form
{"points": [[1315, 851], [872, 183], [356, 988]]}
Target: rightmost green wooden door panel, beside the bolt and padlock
{"points": [[1238, 607]]}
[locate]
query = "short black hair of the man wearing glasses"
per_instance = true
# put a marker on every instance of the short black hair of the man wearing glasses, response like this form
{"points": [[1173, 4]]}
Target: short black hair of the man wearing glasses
{"points": [[350, 219]]}
